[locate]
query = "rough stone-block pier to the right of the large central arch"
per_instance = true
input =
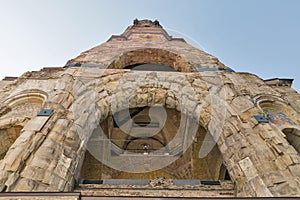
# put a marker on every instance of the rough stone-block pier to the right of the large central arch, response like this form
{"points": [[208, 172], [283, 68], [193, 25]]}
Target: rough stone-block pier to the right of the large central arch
{"points": [[267, 163]]}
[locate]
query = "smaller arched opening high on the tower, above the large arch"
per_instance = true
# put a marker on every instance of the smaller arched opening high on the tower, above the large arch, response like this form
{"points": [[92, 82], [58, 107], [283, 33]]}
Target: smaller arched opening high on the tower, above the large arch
{"points": [[160, 59]]}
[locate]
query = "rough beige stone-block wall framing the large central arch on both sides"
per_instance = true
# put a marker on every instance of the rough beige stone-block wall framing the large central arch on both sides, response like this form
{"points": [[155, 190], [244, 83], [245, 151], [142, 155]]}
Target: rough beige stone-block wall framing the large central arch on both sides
{"points": [[47, 155]]}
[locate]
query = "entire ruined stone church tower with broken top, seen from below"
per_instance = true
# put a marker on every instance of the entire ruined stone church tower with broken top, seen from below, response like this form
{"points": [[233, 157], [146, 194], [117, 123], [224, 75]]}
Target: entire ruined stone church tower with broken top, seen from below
{"points": [[148, 115]]}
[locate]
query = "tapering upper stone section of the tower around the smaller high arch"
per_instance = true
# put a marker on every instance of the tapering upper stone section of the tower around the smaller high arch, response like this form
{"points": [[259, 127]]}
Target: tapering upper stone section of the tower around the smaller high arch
{"points": [[139, 40]]}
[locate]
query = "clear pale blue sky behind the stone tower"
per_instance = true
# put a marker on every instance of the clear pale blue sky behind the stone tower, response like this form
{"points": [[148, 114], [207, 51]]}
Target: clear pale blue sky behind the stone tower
{"points": [[256, 36]]}
